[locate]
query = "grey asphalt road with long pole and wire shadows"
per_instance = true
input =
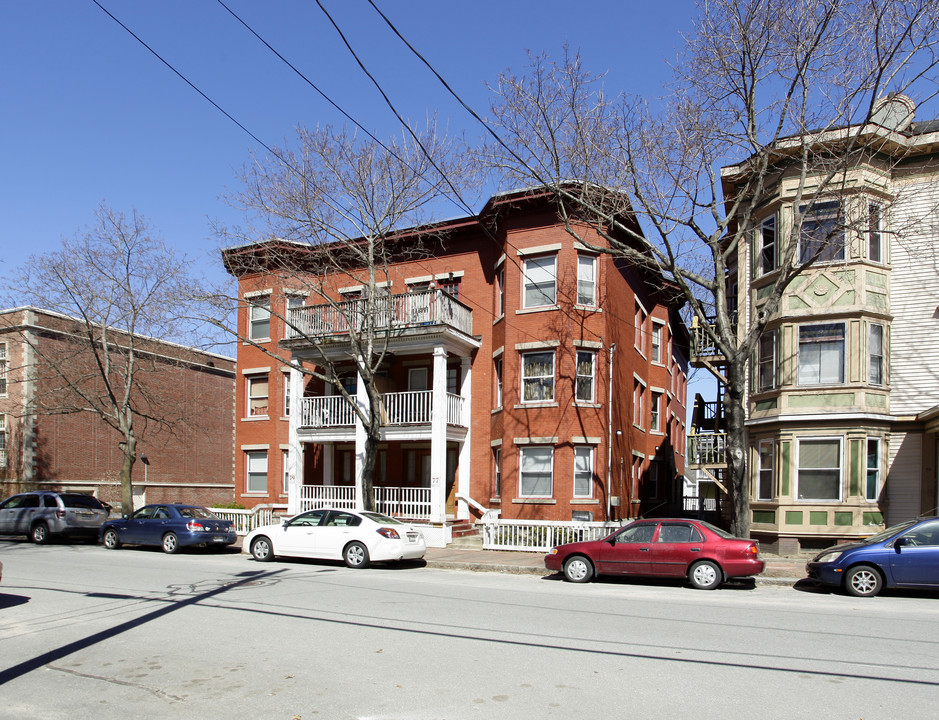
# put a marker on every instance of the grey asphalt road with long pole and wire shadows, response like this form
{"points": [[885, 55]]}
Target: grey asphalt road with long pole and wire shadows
{"points": [[90, 633]]}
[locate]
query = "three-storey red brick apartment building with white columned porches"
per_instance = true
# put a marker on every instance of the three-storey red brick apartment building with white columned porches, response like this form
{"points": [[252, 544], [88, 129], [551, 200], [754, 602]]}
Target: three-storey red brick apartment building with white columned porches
{"points": [[532, 377]]}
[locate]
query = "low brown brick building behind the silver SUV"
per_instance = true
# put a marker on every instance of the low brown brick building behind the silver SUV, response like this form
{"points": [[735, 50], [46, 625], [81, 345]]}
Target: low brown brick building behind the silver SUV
{"points": [[47, 443]]}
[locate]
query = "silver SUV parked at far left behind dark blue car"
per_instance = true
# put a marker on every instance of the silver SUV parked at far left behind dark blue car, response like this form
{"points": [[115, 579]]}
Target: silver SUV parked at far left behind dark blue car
{"points": [[41, 515]]}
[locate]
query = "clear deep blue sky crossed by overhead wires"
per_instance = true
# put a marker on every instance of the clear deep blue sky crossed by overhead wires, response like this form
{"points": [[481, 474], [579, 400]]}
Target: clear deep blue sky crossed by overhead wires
{"points": [[88, 114]]}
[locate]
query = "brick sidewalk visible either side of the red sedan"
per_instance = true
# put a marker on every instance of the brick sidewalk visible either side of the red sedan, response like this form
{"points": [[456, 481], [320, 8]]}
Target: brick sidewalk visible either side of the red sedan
{"points": [[780, 570]]}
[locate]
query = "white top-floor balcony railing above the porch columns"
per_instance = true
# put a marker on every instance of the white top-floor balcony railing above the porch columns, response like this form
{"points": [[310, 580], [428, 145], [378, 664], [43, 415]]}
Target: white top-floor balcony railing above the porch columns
{"points": [[391, 312]]}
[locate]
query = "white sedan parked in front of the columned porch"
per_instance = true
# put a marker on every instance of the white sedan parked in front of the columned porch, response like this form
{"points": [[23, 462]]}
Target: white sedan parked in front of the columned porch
{"points": [[357, 538]]}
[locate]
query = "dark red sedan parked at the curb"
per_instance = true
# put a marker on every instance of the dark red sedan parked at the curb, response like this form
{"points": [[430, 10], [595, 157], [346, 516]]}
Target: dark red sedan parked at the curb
{"points": [[697, 550]]}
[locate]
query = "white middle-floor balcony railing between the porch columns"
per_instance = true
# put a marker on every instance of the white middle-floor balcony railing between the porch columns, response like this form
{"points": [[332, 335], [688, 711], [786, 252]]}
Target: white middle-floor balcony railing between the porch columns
{"points": [[401, 408]]}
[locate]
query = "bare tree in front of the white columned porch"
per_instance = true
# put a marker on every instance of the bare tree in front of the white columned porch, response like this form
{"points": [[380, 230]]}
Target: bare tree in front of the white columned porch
{"points": [[328, 214]]}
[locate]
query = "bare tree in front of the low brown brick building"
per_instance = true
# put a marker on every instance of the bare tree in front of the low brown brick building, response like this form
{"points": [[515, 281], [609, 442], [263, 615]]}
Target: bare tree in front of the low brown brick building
{"points": [[117, 286]]}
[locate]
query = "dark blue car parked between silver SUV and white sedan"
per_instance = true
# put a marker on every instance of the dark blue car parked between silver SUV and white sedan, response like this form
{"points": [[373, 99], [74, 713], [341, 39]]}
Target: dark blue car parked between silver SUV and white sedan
{"points": [[168, 526]]}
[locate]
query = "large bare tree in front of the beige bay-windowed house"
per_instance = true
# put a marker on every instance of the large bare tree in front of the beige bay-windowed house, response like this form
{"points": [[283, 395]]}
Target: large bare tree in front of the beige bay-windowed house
{"points": [[766, 91]]}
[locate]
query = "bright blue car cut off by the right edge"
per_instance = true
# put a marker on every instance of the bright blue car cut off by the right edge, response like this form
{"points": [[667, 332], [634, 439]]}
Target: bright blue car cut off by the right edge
{"points": [[903, 556]]}
